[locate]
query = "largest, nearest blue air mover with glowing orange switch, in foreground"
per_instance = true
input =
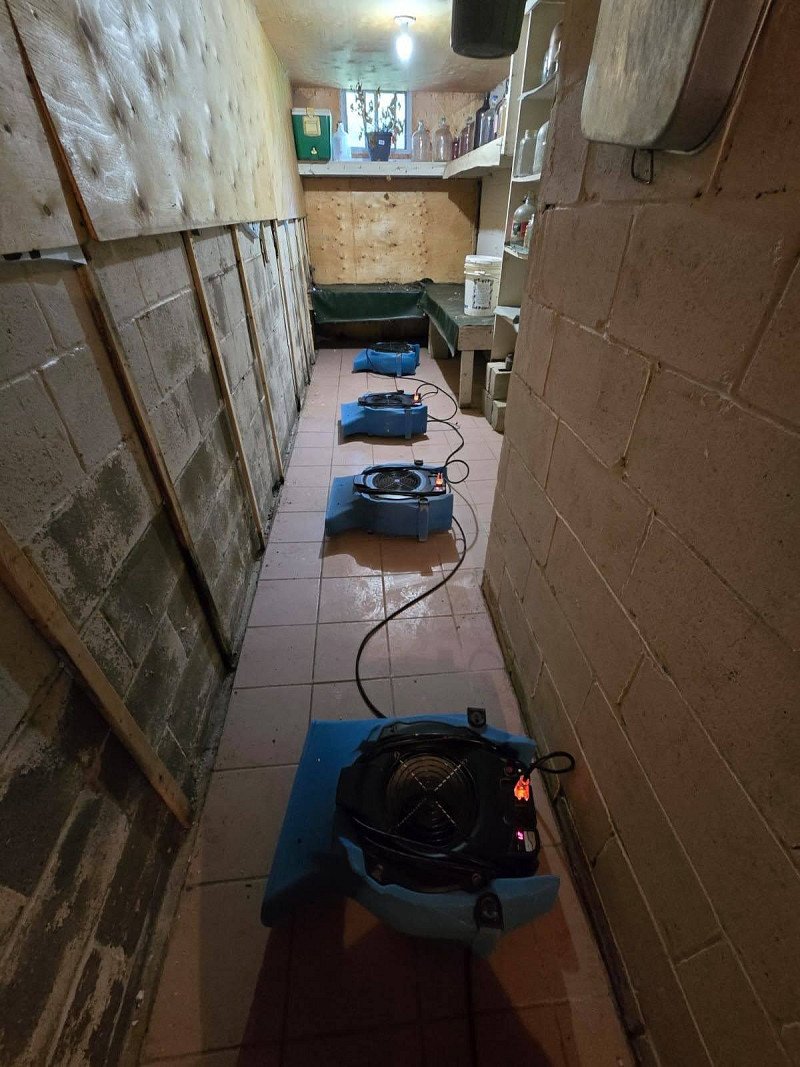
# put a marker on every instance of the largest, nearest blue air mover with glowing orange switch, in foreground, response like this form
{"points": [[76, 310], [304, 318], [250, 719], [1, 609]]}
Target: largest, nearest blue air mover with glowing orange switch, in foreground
{"points": [[430, 823]]}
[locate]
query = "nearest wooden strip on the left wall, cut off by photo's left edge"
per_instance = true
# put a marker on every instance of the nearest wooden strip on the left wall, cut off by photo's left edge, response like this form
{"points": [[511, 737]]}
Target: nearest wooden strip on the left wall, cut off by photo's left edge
{"points": [[28, 587]]}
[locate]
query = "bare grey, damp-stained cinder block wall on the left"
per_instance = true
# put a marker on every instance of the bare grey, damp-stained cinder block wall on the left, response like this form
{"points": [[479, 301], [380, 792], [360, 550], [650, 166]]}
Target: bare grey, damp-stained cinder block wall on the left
{"points": [[86, 846]]}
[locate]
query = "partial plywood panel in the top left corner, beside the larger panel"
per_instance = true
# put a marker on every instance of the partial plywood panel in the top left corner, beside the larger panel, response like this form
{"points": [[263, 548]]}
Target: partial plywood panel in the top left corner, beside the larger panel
{"points": [[34, 213]]}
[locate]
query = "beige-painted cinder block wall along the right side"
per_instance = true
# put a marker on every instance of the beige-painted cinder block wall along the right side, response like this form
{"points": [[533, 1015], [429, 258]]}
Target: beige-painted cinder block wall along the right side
{"points": [[644, 560]]}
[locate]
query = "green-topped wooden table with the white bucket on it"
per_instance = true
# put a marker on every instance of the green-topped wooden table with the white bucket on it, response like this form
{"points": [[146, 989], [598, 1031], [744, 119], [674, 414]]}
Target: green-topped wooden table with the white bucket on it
{"points": [[451, 332]]}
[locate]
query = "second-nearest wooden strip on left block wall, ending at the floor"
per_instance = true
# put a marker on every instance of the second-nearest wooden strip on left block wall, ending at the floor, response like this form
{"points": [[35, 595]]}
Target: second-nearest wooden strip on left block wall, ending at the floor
{"points": [[105, 323]]}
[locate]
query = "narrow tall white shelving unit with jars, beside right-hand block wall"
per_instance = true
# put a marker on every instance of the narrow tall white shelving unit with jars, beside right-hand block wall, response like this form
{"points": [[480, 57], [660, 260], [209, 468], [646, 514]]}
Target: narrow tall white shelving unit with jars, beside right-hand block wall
{"points": [[532, 102]]}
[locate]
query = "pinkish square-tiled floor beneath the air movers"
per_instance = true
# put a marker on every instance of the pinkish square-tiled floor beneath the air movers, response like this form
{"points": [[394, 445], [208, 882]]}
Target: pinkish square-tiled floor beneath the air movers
{"points": [[335, 986]]}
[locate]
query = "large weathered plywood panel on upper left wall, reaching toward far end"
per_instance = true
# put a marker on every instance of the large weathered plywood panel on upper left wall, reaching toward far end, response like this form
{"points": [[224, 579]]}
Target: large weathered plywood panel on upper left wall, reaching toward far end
{"points": [[171, 116]]}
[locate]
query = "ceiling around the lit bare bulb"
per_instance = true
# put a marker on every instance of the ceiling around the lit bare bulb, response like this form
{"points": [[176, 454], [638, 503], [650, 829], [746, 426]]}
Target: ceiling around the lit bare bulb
{"points": [[341, 42]]}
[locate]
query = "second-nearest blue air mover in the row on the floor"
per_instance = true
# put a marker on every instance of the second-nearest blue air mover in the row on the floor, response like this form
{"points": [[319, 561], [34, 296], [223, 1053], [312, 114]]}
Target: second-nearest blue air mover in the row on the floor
{"points": [[406, 500]]}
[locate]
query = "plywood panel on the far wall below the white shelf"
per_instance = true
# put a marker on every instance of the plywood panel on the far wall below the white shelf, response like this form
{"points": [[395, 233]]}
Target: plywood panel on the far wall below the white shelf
{"points": [[375, 231]]}
